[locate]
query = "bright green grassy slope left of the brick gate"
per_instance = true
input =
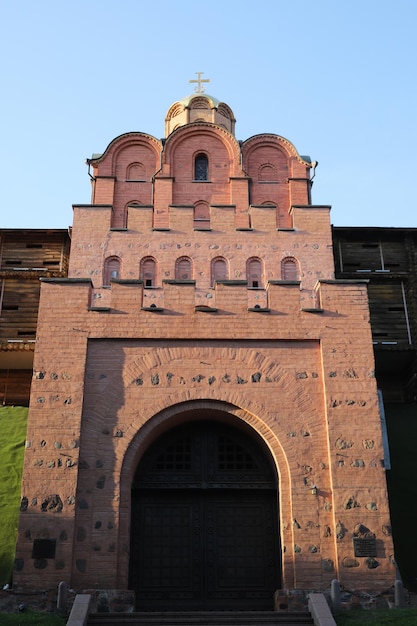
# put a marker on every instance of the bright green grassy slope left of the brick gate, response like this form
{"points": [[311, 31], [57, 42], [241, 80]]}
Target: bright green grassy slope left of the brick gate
{"points": [[13, 423]]}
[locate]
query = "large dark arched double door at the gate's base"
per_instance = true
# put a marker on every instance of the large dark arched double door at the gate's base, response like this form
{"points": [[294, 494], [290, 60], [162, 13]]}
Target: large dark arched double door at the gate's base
{"points": [[204, 528]]}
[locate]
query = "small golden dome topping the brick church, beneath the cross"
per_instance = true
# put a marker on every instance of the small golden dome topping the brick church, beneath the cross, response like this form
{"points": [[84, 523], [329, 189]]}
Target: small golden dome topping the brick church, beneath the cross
{"points": [[199, 107]]}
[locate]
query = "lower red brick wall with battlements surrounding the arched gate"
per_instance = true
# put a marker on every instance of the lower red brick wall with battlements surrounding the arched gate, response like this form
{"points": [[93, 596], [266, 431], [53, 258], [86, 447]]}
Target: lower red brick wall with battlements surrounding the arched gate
{"points": [[315, 405]]}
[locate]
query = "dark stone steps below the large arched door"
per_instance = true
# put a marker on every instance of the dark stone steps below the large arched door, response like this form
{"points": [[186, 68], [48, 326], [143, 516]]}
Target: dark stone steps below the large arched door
{"points": [[204, 618]]}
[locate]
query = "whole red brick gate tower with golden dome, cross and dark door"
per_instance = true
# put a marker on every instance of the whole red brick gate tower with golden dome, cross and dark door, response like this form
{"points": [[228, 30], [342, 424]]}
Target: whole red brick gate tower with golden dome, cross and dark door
{"points": [[204, 425]]}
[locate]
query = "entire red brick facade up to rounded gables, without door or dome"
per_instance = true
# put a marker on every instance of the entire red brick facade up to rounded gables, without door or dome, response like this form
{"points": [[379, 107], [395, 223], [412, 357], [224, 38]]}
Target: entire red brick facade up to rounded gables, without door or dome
{"points": [[111, 373]]}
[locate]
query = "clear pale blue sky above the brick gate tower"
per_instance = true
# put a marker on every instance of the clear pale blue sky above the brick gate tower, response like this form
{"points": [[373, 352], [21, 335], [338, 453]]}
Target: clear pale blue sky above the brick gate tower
{"points": [[338, 79]]}
